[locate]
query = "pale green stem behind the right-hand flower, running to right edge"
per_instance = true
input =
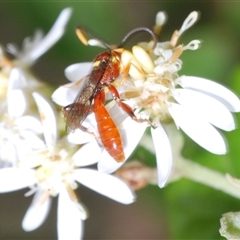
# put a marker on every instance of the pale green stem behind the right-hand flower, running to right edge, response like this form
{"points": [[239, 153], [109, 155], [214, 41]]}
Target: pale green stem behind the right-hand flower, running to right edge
{"points": [[183, 168]]}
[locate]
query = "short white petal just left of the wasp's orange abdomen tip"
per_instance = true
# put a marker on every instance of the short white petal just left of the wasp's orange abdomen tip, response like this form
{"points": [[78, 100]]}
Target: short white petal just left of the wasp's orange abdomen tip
{"points": [[88, 154]]}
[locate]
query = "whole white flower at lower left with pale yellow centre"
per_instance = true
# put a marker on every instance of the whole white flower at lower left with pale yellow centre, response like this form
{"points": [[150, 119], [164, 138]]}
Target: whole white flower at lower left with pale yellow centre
{"points": [[55, 171]]}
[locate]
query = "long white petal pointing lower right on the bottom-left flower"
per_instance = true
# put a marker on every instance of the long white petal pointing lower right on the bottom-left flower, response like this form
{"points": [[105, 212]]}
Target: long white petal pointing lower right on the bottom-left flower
{"points": [[105, 184]]}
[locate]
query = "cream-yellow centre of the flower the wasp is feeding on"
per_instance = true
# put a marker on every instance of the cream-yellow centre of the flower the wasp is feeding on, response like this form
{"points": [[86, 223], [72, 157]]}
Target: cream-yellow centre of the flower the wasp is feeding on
{"points": [[150, 92]]}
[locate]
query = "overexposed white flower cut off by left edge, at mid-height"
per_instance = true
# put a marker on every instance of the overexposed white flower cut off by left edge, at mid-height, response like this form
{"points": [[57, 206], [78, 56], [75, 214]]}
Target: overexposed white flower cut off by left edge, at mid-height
{"points": [[19, 133]]}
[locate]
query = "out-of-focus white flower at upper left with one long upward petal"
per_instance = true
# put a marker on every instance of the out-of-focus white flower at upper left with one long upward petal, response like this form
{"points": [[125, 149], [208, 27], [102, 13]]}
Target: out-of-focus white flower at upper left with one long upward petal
{"points": [[32, 49]]}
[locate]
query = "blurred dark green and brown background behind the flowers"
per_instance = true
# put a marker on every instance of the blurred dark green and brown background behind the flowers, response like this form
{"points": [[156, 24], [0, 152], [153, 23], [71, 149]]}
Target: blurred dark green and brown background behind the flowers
{"points": [[184, 209]]}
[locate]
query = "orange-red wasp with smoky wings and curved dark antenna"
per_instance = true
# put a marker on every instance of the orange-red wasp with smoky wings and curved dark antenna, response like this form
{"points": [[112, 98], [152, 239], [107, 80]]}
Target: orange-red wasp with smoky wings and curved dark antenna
{"points": [[91, 97]]}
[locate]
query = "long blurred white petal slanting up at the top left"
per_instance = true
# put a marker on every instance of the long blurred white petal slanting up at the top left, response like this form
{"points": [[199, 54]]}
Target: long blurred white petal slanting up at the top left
{"points": [[51, 38]]}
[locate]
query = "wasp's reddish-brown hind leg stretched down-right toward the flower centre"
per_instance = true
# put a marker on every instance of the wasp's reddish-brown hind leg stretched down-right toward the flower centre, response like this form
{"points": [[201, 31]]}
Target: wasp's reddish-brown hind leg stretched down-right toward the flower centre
{"points": [[126, 108]]}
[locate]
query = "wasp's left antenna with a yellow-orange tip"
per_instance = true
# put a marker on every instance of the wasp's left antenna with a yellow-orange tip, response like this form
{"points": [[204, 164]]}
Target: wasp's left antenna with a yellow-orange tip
{"points": [[84, 36]]}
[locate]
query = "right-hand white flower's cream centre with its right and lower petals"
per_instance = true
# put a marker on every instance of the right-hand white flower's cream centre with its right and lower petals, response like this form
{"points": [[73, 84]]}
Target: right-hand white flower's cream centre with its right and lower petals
{"points": [[198, 106]]}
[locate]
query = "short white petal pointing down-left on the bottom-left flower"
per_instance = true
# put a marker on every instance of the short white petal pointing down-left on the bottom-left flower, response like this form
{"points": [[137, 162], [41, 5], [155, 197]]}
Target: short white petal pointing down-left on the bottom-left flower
{"points": [[37, 211]]}
